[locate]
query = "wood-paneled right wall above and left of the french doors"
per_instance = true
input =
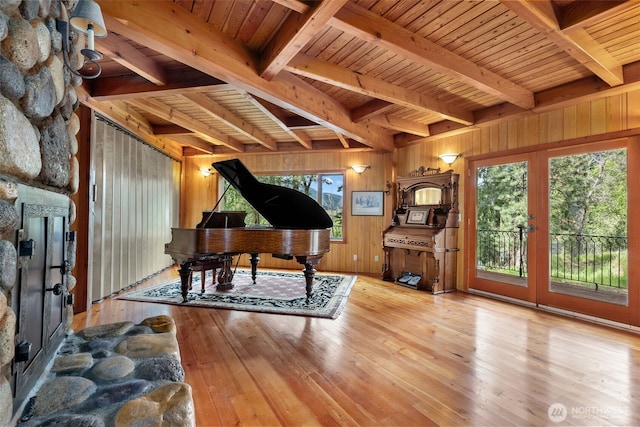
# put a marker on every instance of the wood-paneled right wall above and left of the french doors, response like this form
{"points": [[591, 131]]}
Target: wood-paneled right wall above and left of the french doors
{"points": [[607, 117]]}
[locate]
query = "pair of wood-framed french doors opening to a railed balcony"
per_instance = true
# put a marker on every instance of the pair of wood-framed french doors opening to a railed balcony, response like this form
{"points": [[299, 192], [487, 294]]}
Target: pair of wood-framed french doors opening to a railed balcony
{"points": [[552, 228]]}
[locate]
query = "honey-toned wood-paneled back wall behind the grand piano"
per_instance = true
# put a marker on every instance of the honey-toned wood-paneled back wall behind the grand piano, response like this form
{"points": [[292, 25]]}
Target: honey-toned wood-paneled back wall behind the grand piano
{"points": [[362, 233]]}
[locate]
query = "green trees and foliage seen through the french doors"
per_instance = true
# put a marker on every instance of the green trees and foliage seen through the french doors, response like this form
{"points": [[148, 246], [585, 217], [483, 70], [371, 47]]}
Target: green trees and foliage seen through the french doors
{"points": [[587, 197]]}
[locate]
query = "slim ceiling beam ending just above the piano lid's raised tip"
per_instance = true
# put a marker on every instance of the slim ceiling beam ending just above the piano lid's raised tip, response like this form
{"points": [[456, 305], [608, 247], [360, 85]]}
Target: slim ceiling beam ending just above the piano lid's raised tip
{"points": [[181, 119]]}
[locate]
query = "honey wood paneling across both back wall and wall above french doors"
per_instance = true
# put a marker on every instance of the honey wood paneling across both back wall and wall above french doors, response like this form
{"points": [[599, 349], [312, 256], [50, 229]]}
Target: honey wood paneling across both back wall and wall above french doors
{"points": [[604, 116]]}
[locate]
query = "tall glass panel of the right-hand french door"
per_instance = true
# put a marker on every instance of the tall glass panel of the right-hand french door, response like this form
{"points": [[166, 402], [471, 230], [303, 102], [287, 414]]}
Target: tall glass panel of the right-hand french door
{"points": [[588, 241]]}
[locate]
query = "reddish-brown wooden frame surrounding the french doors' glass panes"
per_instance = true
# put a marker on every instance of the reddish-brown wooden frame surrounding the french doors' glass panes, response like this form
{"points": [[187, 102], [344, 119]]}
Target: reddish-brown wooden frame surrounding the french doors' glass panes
{"points": [[540, 154]]}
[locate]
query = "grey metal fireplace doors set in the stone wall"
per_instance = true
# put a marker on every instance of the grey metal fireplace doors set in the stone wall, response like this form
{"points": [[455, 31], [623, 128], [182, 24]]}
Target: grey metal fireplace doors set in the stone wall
{"points": [[42, 208]]}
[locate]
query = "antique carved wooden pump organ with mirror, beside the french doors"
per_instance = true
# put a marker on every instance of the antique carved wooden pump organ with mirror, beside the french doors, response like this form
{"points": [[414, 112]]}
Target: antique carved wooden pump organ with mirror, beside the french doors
{"points": [[421, 245]]}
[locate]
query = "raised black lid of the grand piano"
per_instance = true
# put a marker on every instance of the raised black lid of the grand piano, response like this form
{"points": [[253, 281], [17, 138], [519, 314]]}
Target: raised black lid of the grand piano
{"points": [[283, 207]]}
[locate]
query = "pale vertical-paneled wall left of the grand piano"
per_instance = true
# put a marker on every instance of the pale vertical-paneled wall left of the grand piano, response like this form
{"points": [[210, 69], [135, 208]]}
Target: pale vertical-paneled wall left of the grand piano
{"points": [[136, 196]]}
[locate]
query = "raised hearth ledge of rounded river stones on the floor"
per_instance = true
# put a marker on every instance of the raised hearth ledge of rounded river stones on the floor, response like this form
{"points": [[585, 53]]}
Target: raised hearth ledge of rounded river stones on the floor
{"points": [[119, 374]]}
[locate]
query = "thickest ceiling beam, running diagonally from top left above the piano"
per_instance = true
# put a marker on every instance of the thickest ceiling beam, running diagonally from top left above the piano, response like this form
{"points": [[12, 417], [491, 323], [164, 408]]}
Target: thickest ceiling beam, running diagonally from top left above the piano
{"points": [[171, 30]]}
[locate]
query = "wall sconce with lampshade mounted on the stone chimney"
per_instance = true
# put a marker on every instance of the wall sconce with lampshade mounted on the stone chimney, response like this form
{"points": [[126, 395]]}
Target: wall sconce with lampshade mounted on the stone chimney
{"points": [[87, 19]]}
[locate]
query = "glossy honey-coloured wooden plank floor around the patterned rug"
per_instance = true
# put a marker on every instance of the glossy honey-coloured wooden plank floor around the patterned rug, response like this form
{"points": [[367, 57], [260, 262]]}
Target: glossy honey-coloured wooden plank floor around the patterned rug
{"points": [[399, 357]]}
